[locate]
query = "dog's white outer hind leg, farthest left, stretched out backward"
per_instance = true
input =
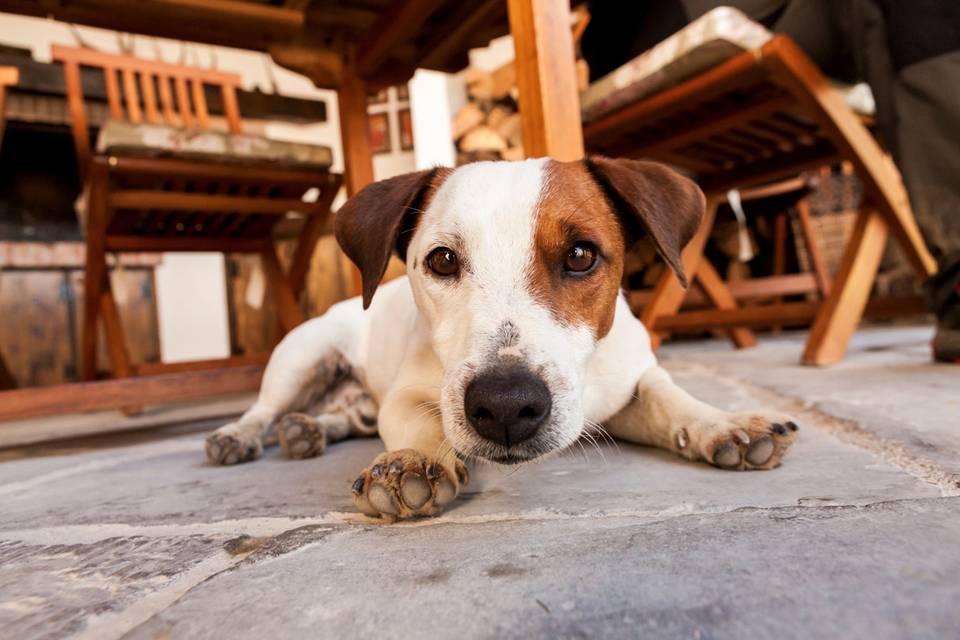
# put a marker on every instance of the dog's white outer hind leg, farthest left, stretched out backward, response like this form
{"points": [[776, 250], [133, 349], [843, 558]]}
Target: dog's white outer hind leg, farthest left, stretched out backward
{"points": [[301, 369]]}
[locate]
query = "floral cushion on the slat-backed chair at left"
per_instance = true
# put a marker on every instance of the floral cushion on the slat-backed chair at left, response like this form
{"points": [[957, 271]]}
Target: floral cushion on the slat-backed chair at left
{"points": [[125, 138]]}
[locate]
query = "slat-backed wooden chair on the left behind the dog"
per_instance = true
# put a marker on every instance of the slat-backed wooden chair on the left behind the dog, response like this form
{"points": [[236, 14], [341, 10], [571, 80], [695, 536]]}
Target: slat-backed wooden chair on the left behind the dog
{"points": [[146, 203]]}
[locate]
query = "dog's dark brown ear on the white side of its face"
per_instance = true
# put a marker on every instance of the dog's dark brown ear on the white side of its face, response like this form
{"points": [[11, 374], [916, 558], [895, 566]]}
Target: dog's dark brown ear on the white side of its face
{"points": [[379, 220]]}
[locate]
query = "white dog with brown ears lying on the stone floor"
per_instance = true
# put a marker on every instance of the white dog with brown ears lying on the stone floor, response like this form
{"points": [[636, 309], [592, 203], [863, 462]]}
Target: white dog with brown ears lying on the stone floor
{"points": [[509, 338]]}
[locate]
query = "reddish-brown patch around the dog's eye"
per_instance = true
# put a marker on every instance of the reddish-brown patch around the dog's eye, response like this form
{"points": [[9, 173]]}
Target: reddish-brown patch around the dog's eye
{"points": [[573, 211]]}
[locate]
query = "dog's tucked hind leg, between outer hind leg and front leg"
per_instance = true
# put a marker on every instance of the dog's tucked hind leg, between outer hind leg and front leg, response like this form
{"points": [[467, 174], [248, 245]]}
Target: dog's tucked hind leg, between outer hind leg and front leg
{"points": [[347, 409]]}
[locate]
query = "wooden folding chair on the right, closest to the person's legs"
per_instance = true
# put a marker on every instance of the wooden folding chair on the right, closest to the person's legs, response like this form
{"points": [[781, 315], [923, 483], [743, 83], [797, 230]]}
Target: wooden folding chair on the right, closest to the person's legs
{"points": [[759, 117]]}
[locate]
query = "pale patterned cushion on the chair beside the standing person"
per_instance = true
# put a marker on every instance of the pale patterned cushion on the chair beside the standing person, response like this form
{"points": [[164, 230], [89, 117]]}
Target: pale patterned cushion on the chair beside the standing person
{"points": [[706, 42]]}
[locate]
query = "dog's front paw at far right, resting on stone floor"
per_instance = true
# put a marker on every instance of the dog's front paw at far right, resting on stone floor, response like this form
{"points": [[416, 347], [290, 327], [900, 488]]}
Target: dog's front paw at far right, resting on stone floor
{"points": [[742, 441]]}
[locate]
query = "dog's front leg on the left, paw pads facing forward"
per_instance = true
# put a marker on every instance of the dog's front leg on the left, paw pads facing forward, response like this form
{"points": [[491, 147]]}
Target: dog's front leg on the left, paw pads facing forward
{"points": [[419, 474]]}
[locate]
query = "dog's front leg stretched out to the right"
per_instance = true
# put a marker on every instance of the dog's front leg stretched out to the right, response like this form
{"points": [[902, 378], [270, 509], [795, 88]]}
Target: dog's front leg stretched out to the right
{"points": [[664, 415]]}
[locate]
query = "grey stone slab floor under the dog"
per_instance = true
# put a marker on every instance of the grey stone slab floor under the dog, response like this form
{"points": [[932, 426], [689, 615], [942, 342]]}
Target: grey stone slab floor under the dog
{"points": [[856, 535]]}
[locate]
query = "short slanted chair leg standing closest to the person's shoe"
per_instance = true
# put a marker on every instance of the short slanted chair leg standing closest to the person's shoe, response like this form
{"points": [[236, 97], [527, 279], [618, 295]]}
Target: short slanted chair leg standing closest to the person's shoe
{"points": [[840, 313]]}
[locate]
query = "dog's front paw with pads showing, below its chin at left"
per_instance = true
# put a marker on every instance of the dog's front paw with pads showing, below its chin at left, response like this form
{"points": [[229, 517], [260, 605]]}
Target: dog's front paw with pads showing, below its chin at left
{"points": [[407, 484]]}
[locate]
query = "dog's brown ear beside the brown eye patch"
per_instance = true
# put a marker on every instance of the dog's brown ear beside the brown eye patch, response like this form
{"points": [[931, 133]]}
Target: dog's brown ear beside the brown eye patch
{"points": [[652, 198]]}
